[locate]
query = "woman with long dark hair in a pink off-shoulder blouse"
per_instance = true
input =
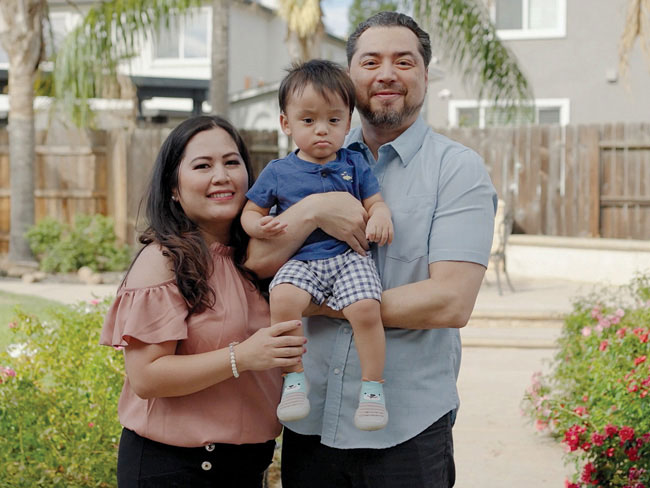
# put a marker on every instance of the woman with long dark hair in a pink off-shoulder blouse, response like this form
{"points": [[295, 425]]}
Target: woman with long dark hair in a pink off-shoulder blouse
{"points": [[202, 365]]}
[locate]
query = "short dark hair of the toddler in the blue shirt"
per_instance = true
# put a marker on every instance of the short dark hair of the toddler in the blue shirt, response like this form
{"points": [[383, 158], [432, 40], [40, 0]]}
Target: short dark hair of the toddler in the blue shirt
{"points": [[326, 77]]}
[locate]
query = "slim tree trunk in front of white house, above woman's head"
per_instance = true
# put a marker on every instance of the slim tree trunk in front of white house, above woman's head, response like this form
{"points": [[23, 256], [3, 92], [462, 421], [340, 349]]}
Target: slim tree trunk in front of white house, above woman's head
{"points": [[219, 78]]}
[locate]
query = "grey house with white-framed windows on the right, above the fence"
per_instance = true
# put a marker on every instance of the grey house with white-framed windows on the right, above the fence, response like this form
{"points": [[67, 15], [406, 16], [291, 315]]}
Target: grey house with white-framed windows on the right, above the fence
{"points": [[568, 51]]}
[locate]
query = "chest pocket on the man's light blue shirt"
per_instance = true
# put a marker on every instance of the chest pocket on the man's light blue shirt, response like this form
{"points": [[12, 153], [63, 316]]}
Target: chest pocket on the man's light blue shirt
{"points": [[412, 218]]}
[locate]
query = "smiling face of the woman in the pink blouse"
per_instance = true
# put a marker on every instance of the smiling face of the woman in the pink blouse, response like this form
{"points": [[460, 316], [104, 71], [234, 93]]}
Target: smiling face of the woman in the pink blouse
{"points": [[212, 183]]}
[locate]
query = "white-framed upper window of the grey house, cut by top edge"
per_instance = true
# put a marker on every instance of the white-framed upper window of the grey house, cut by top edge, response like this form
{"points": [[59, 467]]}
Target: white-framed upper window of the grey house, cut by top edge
{"points": [[529, 19]]}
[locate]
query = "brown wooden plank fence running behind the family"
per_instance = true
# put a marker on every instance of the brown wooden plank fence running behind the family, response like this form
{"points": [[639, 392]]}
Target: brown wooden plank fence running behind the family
{"points": [[581, 181]]}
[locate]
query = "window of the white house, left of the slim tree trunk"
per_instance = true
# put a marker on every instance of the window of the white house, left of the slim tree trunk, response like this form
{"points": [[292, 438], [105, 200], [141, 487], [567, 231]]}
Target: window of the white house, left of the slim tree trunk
{"points": [[184, 38]]}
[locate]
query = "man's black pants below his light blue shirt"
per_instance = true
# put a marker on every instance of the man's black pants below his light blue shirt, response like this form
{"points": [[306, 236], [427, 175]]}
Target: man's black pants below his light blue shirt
{"points": [[425, 461]]}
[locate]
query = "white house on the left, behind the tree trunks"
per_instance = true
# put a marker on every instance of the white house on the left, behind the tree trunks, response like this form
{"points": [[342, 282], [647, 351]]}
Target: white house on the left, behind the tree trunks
{"points": [[172, 71]]}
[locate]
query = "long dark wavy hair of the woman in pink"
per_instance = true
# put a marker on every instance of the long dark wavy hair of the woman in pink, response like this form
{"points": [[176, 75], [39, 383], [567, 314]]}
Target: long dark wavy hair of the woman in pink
{"points": [[168, 225]]}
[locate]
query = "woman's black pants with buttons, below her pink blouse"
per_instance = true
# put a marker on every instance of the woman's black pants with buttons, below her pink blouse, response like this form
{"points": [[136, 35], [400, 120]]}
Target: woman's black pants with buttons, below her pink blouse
{"points": [[144, 463]]}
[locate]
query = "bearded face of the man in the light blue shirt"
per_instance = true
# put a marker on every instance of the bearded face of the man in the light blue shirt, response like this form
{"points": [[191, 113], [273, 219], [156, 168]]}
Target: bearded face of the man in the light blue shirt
{"points": [[389, 76]]}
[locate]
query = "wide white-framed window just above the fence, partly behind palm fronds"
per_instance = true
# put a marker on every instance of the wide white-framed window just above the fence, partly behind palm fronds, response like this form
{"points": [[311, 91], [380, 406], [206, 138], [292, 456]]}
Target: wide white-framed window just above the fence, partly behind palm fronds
{"points": [[470, 113]]}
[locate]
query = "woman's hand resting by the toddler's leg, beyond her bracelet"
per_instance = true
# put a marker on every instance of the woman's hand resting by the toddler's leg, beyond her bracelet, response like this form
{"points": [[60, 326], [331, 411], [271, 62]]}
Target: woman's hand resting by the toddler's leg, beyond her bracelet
{"points": [[271, 348]]}
